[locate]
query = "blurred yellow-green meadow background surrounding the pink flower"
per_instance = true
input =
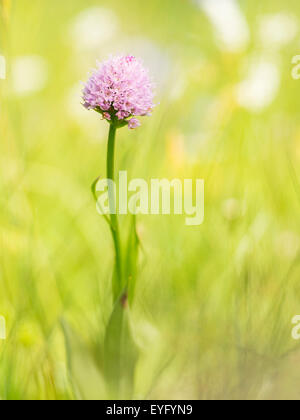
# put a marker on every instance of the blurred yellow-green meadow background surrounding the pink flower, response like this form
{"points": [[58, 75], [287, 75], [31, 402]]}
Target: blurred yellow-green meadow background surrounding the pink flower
{"points": [[214, 303]]}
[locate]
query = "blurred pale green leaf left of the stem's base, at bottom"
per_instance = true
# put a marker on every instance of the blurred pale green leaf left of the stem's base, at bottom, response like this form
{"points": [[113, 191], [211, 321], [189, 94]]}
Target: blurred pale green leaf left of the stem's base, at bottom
{"points": [[86, 377]]}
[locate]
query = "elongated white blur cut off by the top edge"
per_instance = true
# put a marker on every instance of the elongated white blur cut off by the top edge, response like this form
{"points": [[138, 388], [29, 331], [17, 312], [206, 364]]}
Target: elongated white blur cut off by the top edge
{"points": [[229, 22]]}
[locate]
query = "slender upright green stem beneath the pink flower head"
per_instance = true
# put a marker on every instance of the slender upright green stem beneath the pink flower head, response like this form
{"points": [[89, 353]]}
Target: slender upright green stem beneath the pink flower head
{"points": [[112, 205]]}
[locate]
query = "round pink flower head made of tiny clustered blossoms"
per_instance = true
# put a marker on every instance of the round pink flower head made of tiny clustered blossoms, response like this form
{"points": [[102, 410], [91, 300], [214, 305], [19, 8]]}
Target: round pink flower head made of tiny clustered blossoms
{"points": [[120, 89]]}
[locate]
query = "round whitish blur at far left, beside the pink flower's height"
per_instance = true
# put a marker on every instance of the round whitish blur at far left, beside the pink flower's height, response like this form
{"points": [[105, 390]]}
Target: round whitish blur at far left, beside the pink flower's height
{"points": [[29, 74]]}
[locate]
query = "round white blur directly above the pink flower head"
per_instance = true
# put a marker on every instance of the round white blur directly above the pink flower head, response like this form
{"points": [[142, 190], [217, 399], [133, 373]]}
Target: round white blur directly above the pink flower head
{"points": [[93, 27]]}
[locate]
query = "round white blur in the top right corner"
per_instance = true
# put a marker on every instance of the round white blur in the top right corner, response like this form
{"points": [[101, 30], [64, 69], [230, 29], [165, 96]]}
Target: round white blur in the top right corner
{"points": [[277, 30]]}
